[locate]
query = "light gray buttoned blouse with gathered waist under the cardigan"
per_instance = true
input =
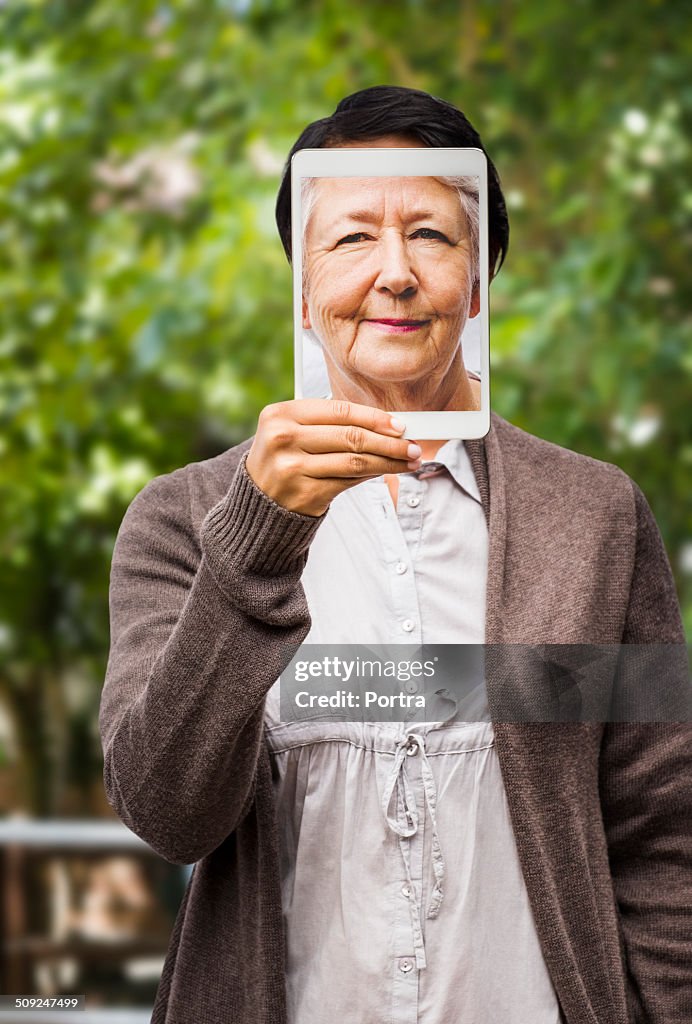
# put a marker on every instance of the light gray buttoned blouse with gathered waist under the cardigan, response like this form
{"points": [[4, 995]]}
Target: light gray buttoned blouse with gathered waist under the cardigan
{"points": [[403, 895]]}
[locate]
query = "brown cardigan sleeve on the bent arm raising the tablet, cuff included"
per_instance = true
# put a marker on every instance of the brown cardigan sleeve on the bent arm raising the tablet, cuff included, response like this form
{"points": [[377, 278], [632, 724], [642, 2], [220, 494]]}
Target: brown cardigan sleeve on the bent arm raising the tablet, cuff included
{"points": [[203, 622]]}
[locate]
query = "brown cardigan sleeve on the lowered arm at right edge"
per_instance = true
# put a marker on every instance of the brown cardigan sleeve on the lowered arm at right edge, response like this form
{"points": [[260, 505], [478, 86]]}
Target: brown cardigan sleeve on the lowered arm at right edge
{"points": [[647, 809]]}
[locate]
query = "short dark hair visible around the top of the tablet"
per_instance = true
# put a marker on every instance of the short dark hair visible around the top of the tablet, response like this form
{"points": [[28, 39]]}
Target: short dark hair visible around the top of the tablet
{"points": [[393, 110]]}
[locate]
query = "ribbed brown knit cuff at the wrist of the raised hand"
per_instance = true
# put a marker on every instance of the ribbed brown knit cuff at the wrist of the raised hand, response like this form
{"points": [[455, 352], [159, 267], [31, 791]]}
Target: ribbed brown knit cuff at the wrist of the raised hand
{"points": [[248, 531]]}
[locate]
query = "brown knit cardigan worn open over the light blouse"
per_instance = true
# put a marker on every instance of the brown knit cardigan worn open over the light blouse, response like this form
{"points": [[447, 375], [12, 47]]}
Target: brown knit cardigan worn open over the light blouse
{"points": [[207, 607]]}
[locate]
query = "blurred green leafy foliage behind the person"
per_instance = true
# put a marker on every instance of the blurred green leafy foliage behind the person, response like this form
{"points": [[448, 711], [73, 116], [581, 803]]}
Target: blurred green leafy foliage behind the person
{"points": [[146, 301]]}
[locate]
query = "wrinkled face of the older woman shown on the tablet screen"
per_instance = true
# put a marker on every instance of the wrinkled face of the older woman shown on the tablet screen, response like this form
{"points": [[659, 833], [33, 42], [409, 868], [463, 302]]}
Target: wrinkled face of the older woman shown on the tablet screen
{"points": [[388, 282]]}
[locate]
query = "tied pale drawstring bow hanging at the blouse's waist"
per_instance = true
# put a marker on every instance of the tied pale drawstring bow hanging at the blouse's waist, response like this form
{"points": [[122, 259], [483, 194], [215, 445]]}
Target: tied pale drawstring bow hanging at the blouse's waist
{"points": [[404, 821]]}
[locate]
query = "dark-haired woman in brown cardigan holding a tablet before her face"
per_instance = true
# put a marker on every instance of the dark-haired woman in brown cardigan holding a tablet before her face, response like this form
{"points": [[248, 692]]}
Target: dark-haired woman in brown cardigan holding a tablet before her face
{"points": [[223, 568]]}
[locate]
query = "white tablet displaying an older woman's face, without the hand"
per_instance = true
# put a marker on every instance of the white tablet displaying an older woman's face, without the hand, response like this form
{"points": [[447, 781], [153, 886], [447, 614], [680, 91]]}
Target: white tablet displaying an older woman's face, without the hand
{"points": [[391, 266]]}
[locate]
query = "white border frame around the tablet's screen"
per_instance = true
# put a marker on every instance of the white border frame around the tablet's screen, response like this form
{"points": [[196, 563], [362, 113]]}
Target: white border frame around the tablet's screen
{"points": [[348, 162]]}
